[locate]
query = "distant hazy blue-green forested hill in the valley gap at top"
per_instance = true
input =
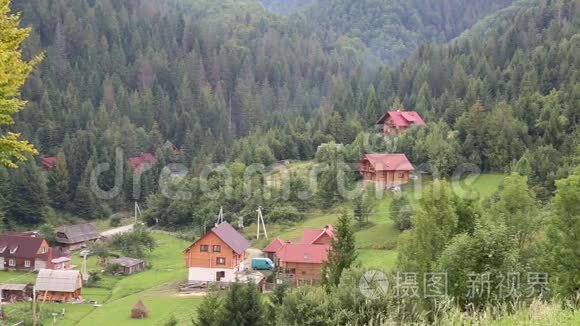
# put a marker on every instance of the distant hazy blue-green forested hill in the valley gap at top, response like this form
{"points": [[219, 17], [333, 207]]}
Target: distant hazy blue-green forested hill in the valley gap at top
{"points": [[393, 29]]}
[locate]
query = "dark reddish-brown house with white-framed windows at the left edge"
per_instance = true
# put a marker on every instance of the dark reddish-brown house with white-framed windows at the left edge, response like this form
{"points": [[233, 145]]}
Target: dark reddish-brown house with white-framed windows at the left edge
{"points": [[26, 252]]}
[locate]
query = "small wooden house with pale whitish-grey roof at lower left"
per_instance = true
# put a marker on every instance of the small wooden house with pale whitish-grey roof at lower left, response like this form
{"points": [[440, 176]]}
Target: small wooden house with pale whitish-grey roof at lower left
{"points": [[58, 285]]}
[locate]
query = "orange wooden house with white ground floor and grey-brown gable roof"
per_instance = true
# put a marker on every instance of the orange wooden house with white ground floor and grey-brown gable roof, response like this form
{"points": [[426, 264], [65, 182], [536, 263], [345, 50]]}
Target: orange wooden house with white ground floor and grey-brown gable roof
{"points": [[217, 256]]}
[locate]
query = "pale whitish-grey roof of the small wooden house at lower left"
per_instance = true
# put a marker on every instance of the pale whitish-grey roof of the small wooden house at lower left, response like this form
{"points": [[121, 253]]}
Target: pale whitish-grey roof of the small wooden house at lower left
{"points": [[58, 280]]}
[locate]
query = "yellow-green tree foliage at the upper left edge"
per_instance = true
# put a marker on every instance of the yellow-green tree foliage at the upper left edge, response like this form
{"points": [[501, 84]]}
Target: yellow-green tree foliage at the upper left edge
{"points": [[13, 73]]}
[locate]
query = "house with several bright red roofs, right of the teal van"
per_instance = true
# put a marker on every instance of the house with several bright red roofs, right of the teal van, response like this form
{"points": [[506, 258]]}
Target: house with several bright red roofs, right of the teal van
{"points": [[302, 260]]}
